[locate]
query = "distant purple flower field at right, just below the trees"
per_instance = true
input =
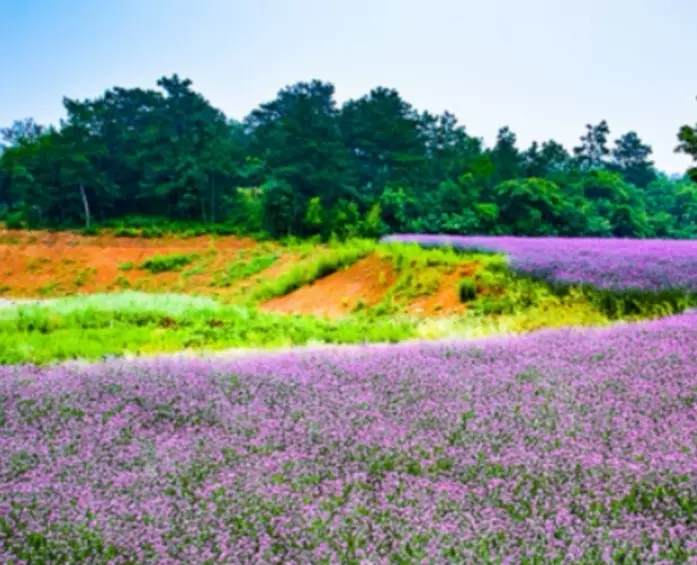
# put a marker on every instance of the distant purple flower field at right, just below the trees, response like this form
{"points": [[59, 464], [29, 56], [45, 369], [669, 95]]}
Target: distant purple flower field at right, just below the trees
{"points": [[604, 263]]}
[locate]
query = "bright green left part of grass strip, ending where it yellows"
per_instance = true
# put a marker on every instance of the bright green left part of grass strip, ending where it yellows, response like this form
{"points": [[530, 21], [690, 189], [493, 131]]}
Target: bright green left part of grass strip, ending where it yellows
{"points": [[135, 323]]}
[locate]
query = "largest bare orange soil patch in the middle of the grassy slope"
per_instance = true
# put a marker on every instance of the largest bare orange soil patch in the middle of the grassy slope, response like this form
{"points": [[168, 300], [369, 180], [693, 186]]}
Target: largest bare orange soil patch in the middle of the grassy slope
{"points": [[339, 293]]}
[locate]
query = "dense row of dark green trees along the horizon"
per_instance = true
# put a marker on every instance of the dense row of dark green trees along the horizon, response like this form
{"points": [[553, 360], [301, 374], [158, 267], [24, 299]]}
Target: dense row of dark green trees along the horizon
{"points": [[301, 165]]}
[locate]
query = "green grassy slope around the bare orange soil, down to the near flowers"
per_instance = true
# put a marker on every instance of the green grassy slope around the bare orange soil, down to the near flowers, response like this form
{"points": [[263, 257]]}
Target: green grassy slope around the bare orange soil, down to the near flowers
{"points": [[138, 323]]}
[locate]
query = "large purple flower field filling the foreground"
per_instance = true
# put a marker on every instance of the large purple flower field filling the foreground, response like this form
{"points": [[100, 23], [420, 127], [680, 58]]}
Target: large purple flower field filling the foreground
{"points": [[556, 447]]}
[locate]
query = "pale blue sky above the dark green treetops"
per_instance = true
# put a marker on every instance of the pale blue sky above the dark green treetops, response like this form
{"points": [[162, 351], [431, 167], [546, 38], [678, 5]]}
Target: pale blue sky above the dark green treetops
{"points": [[545, 68]]}
